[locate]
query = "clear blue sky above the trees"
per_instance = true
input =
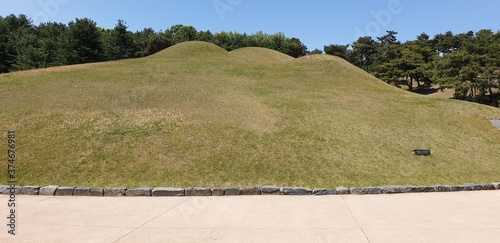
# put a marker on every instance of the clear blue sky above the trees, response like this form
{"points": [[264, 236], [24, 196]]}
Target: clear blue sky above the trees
{"points": [[316, 23]]}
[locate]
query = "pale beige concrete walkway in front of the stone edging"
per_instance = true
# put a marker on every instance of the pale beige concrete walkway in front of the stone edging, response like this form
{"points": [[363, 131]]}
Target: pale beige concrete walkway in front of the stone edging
{"points": [[425, 217]]}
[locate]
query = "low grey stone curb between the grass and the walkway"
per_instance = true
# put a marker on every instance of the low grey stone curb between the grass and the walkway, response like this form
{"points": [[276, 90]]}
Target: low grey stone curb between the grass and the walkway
{"points": [[56, 190]]}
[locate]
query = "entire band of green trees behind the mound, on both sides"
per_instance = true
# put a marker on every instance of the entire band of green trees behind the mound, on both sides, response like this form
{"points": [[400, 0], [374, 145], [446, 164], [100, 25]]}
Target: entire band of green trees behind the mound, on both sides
{"points": [[467, 62]]}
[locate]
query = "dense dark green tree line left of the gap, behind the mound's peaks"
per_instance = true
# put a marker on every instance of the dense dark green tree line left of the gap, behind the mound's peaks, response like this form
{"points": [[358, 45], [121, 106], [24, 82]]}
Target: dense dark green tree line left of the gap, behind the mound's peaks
{"points": [[24, 45]]}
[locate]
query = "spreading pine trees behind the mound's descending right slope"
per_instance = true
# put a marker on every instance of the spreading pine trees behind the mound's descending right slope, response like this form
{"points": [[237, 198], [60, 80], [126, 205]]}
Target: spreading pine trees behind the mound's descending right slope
{"points": [[467, 62]]}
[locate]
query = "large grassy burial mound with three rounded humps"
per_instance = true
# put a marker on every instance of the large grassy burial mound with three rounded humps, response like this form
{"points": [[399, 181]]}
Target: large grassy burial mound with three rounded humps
{"points": [[196, 115]]}
